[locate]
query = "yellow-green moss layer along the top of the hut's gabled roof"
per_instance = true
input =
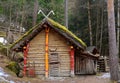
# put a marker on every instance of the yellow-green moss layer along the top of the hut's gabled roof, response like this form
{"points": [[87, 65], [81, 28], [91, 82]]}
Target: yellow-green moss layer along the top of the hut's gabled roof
{"points": [[55, 25]]}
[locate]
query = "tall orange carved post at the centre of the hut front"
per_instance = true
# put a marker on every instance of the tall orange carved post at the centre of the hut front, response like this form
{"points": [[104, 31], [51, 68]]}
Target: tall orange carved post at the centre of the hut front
{"points": [[46, 51]]}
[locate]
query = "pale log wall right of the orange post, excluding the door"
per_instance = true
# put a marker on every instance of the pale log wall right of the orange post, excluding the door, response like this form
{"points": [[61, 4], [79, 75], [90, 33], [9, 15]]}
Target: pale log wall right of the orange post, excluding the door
{"points": [[58, 44]]}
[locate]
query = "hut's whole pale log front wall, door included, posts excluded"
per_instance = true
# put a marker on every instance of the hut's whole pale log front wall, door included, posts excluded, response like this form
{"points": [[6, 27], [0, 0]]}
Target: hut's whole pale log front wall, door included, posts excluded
{"points": [[57, 45]]}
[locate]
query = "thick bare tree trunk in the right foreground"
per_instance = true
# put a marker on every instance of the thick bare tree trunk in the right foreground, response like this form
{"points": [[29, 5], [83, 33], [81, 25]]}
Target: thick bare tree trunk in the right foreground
{"points": [[113, 51]]}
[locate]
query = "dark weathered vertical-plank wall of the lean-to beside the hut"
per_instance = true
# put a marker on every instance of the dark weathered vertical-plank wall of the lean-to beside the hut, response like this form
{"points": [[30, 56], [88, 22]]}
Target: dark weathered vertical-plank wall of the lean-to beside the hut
{"points": [[85, 65]]}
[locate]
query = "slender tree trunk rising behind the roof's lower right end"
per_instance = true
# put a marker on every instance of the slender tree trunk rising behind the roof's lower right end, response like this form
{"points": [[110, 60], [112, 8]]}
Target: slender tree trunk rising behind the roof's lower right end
{"points": [[89, 20]]}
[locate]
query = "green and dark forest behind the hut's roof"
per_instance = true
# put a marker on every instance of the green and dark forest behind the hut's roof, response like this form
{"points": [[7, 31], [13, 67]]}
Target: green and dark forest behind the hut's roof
{"points": [[86, 18]]}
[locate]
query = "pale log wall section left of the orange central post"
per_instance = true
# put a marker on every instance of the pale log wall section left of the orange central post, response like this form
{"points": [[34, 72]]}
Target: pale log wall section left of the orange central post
{"points": [[36, 54]]}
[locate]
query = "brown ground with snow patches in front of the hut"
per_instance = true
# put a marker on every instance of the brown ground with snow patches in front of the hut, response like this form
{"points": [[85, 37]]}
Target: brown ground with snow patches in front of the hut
{"points": [[6, 76]]}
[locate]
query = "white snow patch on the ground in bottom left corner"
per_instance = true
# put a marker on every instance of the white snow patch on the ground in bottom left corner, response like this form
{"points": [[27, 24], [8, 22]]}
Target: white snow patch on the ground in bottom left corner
{"points": [[3, 75]]}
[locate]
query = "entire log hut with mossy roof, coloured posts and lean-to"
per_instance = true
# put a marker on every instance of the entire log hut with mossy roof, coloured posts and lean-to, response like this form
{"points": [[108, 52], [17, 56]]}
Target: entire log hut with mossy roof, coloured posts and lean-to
{"points": [[50, 49]]}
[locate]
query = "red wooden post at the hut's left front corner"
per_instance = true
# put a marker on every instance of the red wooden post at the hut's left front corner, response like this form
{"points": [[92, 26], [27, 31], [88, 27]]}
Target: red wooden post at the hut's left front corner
{"points": [[25, 51]]}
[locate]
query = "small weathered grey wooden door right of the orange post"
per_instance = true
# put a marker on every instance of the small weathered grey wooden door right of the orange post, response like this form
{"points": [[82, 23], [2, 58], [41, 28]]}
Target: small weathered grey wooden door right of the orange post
{"points": [[54, 64]]}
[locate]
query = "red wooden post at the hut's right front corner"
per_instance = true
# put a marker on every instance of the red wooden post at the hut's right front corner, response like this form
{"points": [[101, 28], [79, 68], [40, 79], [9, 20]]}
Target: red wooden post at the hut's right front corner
{"points": [[72, 61]]}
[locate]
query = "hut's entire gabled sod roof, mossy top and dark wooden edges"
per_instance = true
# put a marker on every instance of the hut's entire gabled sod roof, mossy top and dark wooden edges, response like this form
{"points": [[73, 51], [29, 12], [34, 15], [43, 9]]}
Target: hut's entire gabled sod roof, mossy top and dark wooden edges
{"points": [[52, 24]]}
